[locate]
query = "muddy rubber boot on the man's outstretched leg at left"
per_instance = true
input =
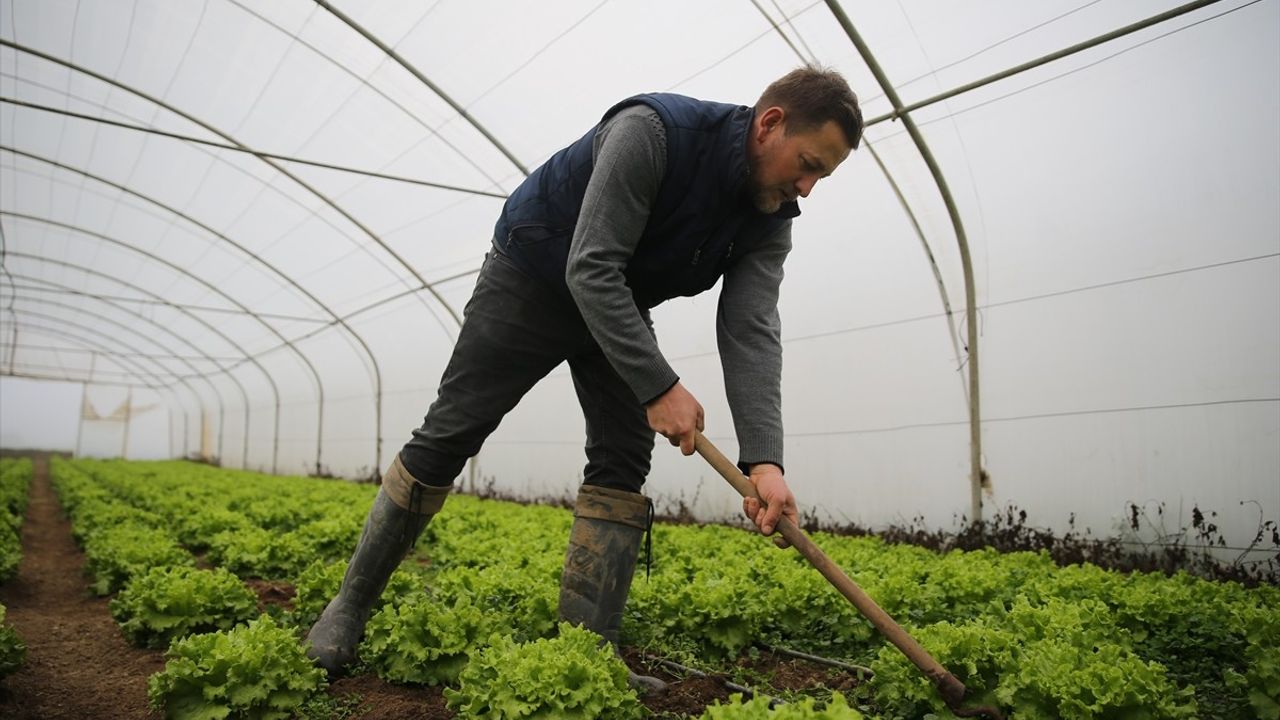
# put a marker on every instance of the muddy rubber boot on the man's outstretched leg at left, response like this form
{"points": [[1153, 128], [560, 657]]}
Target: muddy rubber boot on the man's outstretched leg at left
{"points": [[404, 507]]}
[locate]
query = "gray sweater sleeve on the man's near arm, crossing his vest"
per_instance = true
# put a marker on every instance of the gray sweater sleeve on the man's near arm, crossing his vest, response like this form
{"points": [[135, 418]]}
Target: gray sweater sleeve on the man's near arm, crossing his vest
{"points": [[630, 154]]}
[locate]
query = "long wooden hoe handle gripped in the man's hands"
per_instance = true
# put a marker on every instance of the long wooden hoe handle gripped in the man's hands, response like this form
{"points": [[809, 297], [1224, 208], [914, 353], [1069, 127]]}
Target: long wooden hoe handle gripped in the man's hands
{"points": [[949, 687]]}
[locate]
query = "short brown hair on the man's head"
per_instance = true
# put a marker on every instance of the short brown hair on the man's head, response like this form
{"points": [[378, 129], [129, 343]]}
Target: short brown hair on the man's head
{"points": [[813, 97]]}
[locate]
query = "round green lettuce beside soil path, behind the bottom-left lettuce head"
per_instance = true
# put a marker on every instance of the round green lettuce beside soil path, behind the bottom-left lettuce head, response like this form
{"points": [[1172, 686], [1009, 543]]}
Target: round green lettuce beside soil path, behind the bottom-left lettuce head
{"points": [[173, 603]]}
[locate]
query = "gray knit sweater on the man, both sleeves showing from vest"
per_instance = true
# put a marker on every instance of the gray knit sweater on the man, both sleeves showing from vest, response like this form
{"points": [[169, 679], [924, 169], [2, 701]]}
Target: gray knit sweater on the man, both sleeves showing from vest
{"points": [[630, 160]]}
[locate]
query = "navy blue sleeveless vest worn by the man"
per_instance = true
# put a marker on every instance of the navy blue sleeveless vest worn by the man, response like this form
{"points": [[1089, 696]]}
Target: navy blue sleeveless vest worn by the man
{"points": [[701, 222]]}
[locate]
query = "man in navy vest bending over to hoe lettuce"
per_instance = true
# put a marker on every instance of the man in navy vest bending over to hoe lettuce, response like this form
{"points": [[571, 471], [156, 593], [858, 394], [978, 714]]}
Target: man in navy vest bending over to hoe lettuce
{"points": [[661, 199]]}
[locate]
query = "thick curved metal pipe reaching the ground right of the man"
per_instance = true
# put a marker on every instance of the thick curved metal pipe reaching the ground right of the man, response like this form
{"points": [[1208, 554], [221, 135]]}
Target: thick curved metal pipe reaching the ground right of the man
{"points": [[977, 473]]}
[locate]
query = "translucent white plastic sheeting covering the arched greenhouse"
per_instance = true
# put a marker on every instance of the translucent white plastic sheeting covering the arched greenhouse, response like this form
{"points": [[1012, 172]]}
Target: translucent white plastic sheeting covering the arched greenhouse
{"points": [[182, 222]]}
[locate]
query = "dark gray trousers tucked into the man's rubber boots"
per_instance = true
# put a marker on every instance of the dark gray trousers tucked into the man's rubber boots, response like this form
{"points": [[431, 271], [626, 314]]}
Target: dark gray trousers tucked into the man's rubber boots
{"points": [[515, 331]]}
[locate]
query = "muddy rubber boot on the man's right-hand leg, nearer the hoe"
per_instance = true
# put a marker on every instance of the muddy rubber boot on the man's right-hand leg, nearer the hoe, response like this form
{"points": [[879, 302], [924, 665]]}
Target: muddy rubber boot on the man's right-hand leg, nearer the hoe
{"points": [[604, 548]]}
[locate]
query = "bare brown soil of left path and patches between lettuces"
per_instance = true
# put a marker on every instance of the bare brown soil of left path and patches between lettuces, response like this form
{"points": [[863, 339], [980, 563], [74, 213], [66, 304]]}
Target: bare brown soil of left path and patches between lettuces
{"points": [[79, 664]]}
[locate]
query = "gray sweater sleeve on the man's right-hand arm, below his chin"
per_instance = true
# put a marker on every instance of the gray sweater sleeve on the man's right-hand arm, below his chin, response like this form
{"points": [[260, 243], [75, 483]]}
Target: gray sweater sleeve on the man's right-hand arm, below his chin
{"points": [[749, 334]]}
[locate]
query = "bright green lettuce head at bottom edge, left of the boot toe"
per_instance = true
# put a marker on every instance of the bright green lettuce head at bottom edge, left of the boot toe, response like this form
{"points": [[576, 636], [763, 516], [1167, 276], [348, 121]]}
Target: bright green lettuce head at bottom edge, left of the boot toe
{"points": [[255, 672]]}
